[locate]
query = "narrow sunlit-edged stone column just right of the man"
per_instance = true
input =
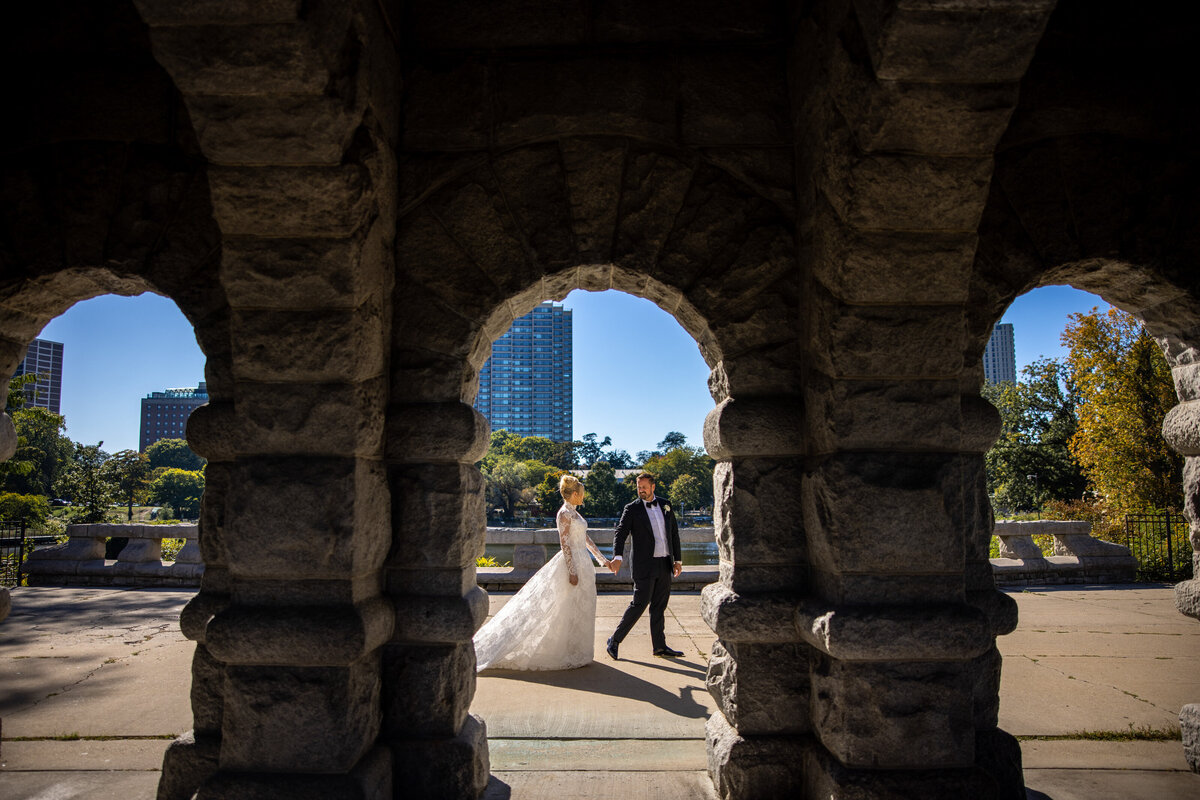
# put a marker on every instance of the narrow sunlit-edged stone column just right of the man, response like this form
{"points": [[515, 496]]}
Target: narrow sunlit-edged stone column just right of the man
{"points": [[759, 670]]}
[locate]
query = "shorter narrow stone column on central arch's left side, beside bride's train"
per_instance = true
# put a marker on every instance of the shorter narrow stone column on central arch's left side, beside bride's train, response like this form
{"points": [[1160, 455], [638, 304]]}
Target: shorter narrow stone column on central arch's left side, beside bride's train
{"points": [[439, 525]]}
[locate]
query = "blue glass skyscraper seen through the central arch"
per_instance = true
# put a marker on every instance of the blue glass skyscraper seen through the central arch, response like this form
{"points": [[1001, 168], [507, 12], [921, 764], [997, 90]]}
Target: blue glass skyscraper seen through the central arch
{"points": [[526, 387]]}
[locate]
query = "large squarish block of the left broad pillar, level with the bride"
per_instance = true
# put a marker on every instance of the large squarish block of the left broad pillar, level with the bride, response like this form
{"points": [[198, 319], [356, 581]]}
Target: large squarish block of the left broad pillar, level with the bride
{"points": [[295, 519]]}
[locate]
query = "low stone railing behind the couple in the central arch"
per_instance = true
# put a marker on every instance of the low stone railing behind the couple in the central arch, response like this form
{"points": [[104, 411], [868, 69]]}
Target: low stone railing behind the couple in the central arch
{"points": [[530, 556]]}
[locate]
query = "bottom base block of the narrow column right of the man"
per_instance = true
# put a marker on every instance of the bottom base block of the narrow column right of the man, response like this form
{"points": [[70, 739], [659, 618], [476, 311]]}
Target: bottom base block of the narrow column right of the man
{"points": [[745, 768]]}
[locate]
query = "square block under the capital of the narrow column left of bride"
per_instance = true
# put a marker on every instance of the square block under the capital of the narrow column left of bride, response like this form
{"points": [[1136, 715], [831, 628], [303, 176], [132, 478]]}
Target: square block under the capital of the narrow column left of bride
{"points": [[437, 515]]}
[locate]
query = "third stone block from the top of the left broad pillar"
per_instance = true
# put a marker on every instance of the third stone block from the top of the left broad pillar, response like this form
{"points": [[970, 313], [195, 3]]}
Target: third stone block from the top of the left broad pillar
{"points": [[299, 130]]}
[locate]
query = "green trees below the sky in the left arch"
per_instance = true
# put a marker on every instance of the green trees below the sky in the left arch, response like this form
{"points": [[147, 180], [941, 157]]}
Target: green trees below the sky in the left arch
{"points": [[49, 467]]}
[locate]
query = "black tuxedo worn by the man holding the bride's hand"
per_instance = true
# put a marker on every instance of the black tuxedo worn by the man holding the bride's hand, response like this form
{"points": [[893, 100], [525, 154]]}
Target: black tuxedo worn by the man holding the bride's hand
{"points": [[652, 576]]}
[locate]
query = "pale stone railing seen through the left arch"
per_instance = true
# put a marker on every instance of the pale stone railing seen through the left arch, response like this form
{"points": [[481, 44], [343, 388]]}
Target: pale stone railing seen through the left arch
{"points": [[82, 562]]}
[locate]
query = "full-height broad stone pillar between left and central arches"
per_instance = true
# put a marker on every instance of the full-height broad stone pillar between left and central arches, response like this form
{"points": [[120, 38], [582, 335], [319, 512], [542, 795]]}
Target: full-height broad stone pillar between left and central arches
{"points": [[295, 107]]}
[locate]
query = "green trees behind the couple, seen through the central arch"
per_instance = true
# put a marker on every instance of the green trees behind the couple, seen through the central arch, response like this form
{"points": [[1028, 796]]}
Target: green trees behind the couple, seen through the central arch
{"points": [[521, 474]]}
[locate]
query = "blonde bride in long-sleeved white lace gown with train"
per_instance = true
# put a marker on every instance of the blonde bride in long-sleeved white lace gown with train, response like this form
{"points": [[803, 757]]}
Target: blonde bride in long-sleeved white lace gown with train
{"points": [[551, 623]]}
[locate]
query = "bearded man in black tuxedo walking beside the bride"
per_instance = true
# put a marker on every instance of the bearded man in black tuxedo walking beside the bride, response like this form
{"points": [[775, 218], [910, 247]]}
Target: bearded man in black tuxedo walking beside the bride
{"points": [[652, 525]]}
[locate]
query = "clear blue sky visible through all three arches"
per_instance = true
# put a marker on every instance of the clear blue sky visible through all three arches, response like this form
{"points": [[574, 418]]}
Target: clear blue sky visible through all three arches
{"points": [[638, 374]]}
